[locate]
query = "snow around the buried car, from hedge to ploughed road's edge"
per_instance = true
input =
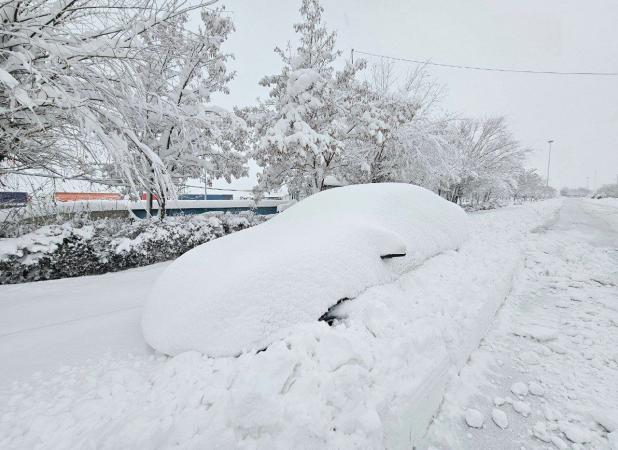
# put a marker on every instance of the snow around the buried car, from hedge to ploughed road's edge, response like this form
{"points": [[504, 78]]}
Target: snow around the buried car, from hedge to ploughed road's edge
{"points": [[373, 380]]}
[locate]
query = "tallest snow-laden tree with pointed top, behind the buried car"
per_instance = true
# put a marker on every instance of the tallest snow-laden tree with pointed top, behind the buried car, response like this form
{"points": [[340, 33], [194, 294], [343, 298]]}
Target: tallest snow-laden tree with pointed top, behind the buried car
{"points": [[303, 125]]}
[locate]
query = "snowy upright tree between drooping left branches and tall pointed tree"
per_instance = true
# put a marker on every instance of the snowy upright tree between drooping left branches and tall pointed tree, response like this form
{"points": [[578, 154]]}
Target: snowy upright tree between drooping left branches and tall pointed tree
{"points": [[177, 75]]}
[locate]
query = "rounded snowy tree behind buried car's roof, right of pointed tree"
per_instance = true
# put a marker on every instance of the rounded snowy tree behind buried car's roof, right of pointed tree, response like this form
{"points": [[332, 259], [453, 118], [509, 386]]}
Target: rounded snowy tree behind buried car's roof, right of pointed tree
{"points": [[396, 133]]}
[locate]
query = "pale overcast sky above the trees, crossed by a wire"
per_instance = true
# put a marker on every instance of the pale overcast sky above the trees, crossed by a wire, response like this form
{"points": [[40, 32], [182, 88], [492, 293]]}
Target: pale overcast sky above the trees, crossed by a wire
{"points": [[579, 113]]}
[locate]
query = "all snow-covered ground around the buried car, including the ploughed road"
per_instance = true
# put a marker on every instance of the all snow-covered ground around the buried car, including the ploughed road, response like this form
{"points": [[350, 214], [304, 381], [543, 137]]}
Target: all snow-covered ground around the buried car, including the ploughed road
{"points": [[373, 380]]}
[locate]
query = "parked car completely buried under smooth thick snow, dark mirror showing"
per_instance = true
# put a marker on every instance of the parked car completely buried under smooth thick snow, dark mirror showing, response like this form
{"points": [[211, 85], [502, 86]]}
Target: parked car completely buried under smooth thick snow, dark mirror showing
{"points": [[242, 291]]}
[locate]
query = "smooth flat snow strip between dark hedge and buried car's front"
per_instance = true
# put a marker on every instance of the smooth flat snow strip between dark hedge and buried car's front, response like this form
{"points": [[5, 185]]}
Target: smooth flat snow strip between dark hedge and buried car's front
{"points": [[49, 324]]}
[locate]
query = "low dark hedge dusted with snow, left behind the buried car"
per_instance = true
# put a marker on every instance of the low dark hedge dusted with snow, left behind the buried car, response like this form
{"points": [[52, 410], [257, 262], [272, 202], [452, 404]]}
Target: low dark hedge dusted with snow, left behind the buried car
{"points": [[83, 247]]}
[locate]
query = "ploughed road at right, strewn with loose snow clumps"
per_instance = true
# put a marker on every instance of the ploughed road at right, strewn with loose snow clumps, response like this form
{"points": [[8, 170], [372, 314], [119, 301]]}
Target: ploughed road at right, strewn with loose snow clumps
{"points": [[546, 376]]}
